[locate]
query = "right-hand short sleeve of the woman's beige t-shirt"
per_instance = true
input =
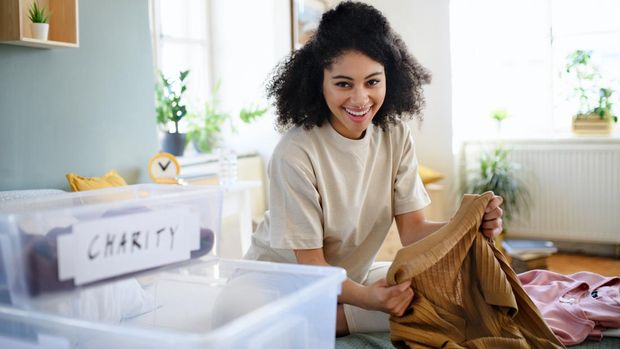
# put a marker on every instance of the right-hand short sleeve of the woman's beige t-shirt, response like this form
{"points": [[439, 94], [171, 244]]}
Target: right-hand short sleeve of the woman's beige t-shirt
{"points": [[409, 192]]}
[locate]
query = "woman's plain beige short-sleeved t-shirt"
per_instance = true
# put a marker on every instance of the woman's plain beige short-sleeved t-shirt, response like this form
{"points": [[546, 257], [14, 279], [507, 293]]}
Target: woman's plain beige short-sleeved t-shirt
{"points": [[327, 191]]}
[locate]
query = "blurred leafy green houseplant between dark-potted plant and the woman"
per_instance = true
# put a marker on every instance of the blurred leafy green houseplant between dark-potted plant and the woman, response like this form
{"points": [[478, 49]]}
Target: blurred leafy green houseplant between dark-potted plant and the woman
{"points": [[205, 130]]}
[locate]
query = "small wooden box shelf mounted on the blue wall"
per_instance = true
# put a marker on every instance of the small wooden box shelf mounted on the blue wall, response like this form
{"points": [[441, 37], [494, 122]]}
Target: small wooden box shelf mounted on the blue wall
{"points": [[15, 25]]}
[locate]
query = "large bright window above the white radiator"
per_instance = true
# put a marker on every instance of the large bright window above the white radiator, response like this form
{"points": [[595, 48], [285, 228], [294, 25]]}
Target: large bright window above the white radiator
{"points": [[508, 55]]}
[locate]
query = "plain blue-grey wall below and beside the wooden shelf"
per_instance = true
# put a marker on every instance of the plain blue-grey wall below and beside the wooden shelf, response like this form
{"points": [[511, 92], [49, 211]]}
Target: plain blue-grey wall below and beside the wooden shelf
{"points": [[85, 110]]}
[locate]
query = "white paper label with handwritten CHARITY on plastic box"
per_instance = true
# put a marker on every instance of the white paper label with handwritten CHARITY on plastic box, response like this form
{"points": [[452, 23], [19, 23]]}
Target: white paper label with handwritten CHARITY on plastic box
{"points": [[114, 246]]}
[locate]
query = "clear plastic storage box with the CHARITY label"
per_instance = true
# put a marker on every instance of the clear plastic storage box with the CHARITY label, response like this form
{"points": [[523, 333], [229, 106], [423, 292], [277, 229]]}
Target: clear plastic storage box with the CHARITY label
{"points": [[65, 241]]}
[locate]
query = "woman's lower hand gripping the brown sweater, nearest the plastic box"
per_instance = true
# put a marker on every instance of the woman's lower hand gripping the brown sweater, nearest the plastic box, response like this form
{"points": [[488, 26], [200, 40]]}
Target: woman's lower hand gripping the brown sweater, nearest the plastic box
{"points": [[393, 300]]}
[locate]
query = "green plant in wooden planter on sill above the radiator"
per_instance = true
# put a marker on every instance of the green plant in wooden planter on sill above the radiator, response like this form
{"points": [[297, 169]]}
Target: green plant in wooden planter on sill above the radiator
{"points": [[595, 113]]}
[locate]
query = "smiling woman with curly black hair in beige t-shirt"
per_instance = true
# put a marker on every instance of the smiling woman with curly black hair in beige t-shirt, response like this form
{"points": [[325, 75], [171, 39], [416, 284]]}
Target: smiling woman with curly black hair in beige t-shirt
{"points": [[346, 166]]}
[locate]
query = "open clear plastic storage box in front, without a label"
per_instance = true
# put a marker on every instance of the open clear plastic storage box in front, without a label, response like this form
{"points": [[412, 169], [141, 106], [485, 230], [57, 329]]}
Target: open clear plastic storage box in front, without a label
{"points": [[206, 303]]}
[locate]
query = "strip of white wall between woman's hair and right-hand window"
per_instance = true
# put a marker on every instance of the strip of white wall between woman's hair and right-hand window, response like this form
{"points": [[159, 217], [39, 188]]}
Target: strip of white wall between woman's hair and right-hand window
{"points": [[425, 28]]}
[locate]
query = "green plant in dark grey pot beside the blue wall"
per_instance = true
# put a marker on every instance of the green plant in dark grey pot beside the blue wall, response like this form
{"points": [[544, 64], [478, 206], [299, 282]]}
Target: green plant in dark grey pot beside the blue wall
{"points": [[170, 109]]}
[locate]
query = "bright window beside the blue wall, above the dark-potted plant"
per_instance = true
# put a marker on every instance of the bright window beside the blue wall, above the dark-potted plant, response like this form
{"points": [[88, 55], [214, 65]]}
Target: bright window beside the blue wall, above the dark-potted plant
{"points": [[181, 41]]}
